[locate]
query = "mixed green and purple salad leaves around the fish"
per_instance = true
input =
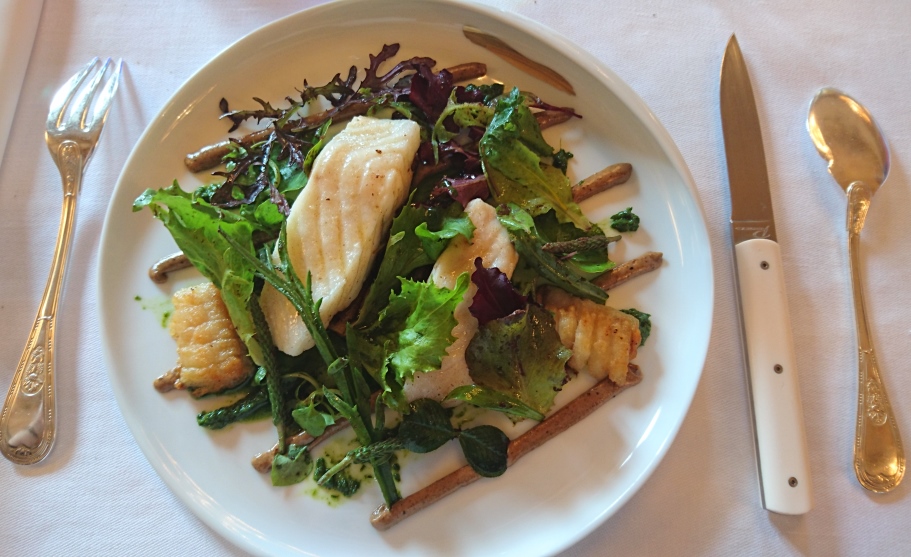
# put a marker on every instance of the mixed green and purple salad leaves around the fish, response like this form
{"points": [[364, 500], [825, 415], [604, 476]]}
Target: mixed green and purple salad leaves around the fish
{"points": [[478, 141]]}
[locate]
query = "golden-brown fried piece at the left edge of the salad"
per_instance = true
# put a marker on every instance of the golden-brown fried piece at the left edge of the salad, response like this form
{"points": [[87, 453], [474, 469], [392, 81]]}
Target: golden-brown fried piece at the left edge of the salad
{"points": [[210, 355]]}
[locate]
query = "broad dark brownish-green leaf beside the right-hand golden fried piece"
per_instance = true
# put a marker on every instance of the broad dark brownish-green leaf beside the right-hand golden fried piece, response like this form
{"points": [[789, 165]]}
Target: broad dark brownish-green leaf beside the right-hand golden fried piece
{"points": [[521, 356]]}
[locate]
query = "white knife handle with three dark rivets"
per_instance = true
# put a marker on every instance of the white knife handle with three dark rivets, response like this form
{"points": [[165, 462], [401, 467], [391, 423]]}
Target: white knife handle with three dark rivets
{"points": [[781, 443]]}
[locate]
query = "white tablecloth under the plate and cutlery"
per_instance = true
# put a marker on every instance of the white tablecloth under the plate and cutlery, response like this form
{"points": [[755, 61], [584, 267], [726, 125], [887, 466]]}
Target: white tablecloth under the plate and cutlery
{"points": [[97, 495]]}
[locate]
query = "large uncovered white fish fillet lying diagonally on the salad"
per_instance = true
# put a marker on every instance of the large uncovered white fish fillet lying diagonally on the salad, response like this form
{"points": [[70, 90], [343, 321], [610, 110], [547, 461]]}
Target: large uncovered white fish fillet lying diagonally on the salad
{"points": [[339, 221]]}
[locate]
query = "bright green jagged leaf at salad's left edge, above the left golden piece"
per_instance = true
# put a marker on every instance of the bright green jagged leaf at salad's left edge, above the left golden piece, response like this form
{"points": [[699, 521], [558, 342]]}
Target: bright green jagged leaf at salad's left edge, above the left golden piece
{"points": [[200, 231]]}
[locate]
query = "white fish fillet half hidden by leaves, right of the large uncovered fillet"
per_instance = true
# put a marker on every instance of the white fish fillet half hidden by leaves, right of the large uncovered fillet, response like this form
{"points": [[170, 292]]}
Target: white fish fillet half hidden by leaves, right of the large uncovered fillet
{"points": [[490, 242]]}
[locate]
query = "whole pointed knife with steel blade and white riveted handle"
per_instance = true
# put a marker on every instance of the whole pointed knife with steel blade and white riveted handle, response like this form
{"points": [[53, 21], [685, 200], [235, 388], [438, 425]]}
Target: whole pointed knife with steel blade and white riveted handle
{"points": [[768, 345]]}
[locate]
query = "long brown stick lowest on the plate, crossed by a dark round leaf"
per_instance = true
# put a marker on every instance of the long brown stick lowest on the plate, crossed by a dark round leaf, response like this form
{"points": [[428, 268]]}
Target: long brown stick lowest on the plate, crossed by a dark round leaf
{"points": [[386, 517]]}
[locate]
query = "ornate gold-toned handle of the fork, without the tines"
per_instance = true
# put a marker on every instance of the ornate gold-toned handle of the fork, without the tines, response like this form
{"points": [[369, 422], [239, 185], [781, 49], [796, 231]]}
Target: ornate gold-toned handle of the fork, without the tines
{"points": [[28, 422]]}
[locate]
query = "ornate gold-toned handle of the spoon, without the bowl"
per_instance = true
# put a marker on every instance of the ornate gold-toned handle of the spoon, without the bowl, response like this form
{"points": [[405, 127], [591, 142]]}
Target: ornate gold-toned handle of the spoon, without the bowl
{"points": [[879, 458]]}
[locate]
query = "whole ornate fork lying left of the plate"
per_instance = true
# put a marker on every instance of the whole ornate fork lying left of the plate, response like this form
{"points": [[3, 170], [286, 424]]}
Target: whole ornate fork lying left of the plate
{"points": [[77, 114]]}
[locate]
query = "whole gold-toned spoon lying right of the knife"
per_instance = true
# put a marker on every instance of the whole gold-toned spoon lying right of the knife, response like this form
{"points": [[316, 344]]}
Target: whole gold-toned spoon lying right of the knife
{"points": [[846, 135]]}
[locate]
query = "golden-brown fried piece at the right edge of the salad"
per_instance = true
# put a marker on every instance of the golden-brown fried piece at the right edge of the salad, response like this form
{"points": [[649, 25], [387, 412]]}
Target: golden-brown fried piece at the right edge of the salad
{"points": [[603, 339]]}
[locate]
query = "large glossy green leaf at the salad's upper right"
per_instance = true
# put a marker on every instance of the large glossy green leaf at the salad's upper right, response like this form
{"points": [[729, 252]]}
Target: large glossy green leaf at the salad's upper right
{"points": [[511, 152]]}
